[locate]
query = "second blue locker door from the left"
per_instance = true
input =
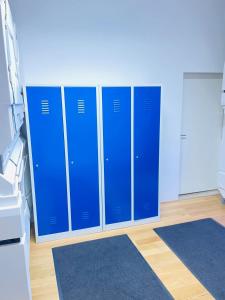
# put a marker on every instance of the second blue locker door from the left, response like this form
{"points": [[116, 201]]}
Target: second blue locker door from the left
{"points": [[81, 119]]}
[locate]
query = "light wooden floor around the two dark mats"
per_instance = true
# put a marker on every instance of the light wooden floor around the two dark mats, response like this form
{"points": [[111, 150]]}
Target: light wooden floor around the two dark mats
{"points": [[176, 277]]}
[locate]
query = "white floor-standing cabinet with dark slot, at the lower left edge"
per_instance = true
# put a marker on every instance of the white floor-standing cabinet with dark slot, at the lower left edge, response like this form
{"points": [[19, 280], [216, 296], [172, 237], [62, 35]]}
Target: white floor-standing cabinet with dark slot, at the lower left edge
{"points": [[14, 230]]}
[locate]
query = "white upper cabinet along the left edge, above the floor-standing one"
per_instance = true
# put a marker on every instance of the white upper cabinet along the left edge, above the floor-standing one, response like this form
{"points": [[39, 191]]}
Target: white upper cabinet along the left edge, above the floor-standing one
{"points": [[11, 100]]}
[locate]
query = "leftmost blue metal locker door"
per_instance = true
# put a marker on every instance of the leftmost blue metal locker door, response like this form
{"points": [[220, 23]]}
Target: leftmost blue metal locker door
{"points": [[47, 141]]}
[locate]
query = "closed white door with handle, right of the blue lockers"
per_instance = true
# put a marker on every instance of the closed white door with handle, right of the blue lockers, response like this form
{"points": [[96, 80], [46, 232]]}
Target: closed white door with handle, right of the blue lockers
{"points": [[201, 132]]}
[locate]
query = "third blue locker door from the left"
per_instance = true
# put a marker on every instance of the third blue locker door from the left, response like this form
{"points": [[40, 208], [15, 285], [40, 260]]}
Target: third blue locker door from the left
{"points": [[116, 103]]}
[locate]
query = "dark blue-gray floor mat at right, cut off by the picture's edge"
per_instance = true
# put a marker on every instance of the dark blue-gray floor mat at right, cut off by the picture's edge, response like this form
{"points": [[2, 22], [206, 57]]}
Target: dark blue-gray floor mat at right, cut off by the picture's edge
{"points": [[201, 247]]}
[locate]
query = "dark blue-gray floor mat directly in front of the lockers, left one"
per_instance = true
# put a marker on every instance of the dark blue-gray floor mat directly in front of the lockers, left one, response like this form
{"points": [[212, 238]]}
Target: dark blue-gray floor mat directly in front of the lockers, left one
{"points": [[105, 269]]}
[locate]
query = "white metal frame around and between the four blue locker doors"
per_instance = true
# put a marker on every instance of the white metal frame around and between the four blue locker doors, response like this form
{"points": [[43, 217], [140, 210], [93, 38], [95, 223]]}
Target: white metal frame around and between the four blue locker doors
{"points": [[101, 179]]}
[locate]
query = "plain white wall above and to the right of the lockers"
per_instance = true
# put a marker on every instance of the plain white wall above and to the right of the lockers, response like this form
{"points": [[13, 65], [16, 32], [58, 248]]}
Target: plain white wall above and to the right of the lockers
{"points": [[125, 41]]}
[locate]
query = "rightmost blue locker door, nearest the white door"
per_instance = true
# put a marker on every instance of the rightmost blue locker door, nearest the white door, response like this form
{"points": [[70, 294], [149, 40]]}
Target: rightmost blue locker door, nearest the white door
{"points": [[146, 151]]}
